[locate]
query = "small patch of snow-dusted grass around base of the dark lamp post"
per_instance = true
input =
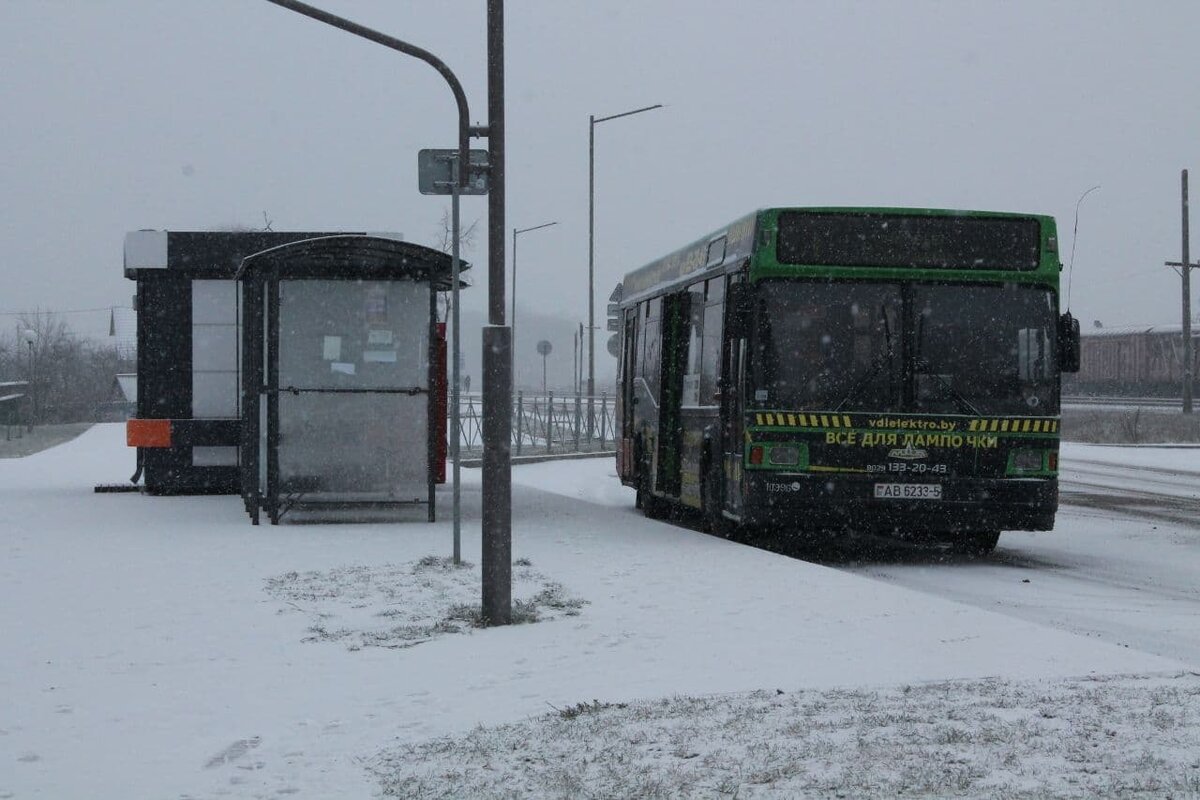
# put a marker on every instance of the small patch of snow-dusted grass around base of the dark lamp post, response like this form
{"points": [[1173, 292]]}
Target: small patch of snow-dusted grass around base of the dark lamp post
{"points": [[401, 606]]}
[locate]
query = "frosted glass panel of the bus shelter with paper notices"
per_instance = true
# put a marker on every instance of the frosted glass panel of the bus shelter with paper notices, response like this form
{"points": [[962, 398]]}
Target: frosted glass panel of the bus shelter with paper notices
{"points": [[349, 351]]}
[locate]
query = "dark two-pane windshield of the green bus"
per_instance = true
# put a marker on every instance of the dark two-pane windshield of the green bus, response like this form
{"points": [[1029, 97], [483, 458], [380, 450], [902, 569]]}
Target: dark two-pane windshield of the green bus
{"points": [[905, 348]]}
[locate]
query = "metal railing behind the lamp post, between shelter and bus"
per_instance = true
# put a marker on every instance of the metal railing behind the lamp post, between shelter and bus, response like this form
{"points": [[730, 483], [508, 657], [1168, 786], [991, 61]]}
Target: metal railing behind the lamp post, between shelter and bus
{"points": [[544, 424]]}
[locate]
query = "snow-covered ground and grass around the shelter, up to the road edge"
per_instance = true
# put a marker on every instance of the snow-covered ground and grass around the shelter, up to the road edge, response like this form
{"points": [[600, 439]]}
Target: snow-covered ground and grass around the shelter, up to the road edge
{"points": [[165, 648]]}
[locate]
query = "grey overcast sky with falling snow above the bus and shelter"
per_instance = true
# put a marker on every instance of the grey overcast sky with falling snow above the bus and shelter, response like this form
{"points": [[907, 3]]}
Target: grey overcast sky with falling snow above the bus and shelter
{"points": [[127, 115]]}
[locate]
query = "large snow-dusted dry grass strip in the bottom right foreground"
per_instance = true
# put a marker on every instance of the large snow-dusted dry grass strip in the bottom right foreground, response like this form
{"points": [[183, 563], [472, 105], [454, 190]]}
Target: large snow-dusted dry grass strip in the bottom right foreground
{"points": [[1130, 737]]}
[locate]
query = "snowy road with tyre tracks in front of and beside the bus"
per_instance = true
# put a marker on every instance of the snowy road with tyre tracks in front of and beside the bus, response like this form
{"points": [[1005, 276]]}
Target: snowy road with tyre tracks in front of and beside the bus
{"points": [[1119, 566]]}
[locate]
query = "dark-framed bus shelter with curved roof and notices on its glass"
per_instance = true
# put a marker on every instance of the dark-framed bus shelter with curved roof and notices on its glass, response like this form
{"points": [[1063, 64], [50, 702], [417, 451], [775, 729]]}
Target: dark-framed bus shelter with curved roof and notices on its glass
{"points": [[343, 376]]}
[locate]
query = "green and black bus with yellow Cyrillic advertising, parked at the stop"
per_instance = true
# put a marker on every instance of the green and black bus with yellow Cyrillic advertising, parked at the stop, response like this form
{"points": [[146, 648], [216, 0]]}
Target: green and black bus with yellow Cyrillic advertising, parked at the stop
{"points": [[871, 370]]}
